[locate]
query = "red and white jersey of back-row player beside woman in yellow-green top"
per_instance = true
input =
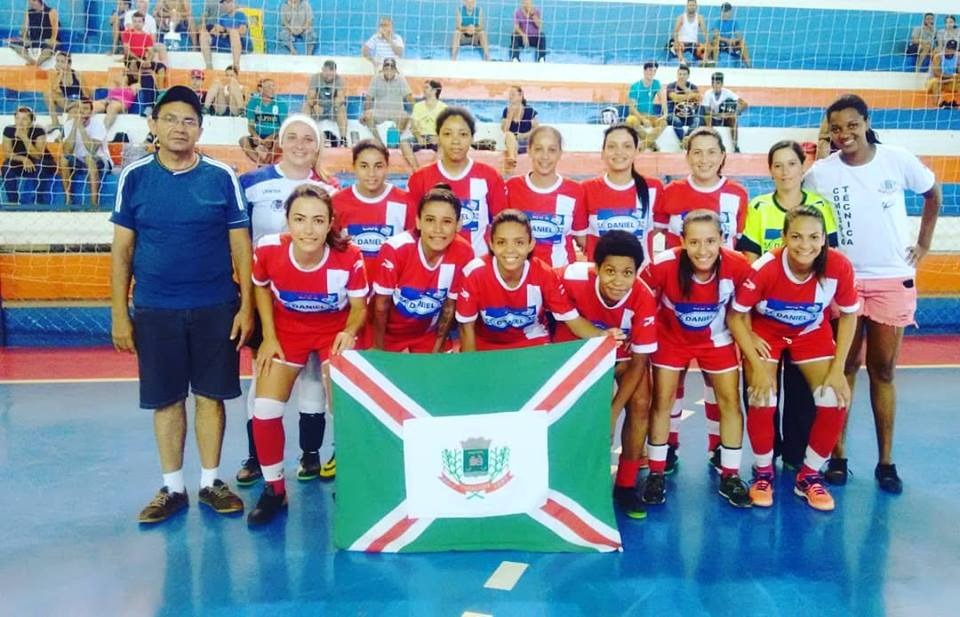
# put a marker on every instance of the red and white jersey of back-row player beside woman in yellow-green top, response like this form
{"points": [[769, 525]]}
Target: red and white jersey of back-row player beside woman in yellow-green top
{"points": [[727, 198]]}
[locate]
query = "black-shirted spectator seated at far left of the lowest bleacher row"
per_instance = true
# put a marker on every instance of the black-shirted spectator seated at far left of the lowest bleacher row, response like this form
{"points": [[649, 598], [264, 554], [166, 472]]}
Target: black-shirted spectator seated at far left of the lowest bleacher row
{"points": [[25, 156]]}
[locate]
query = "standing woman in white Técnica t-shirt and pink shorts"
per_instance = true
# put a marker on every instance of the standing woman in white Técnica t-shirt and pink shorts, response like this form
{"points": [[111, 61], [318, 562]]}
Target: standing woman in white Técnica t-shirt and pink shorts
{"points": [[866, 182]]}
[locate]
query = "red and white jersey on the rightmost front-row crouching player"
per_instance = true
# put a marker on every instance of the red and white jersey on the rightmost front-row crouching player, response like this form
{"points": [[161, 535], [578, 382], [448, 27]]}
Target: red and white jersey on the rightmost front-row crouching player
{"points": [[787, 307]]}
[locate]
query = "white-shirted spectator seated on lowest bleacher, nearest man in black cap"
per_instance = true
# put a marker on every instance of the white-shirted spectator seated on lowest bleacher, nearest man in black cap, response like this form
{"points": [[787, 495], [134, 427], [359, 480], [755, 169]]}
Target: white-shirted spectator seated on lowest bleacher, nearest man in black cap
{"points": [[84, 149]]}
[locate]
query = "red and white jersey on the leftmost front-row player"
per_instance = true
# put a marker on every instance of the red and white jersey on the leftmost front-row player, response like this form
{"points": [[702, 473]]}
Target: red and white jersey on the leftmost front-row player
{"points": [[312, 301]]}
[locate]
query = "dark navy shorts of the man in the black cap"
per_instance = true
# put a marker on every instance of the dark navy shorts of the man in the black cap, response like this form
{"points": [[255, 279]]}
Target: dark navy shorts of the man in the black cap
{"points": [[183, 350]]}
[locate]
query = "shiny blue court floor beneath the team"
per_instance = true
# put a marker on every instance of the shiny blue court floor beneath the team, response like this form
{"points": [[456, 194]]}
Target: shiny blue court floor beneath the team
{"points": [[79, 462]]}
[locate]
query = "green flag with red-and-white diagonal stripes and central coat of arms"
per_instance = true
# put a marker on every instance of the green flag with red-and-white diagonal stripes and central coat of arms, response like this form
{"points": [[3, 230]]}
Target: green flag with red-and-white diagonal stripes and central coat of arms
{"points": [[492, 450]]}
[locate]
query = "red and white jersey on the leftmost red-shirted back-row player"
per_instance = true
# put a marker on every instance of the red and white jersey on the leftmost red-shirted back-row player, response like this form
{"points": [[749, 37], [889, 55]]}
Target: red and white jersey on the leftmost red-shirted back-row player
{"points": [[372, 221]]}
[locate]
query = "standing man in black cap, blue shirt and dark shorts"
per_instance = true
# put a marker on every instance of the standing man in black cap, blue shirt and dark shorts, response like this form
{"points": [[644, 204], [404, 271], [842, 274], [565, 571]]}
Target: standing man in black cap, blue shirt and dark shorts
{"points": [[180, 230]]}
